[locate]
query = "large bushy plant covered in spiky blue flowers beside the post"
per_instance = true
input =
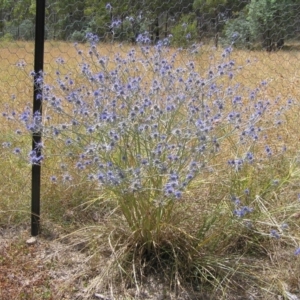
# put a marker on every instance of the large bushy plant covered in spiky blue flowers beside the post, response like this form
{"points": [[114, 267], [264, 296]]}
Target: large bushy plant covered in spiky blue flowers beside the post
{"points": [[143, 127]]}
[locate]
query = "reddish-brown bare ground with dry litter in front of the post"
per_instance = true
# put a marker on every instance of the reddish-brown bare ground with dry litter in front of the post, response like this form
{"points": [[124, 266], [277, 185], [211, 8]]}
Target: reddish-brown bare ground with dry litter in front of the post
{"points": [[52, 269]]}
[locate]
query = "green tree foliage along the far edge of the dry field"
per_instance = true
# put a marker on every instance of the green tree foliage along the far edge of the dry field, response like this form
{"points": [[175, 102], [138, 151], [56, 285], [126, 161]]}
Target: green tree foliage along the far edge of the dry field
{"points": [[265, 21]]}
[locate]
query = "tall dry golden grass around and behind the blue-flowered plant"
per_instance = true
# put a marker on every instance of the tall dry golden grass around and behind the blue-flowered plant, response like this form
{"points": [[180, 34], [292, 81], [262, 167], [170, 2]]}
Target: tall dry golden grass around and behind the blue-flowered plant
{"points": [[207, 225]]}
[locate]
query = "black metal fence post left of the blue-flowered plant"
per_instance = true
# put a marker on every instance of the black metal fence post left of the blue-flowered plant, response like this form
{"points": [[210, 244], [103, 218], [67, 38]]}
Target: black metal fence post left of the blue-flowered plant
{"points": [[37, 107]]}
